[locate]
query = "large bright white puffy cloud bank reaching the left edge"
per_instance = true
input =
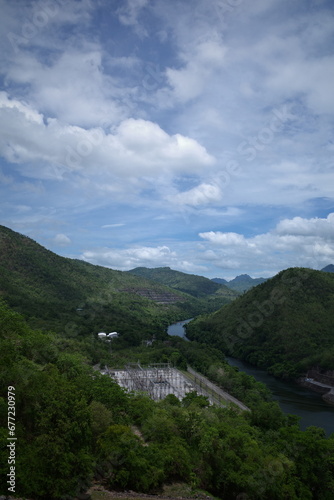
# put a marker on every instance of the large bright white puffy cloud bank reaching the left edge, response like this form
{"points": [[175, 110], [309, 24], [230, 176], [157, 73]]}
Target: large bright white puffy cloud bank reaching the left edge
{"points": [[50, 149]]}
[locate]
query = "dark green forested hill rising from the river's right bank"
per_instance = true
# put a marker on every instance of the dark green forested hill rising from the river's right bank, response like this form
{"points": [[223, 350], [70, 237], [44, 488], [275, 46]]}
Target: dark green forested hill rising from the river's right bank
{"points": [[285, 324]]}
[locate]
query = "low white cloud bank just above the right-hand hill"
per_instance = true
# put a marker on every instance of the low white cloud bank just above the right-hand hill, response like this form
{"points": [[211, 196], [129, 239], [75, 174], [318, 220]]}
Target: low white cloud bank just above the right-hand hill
{"points": [[293, 242]]}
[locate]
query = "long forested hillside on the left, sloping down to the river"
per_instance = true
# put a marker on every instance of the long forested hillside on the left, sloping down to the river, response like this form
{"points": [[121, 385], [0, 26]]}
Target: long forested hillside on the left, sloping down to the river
{"points": [[74, 297]]}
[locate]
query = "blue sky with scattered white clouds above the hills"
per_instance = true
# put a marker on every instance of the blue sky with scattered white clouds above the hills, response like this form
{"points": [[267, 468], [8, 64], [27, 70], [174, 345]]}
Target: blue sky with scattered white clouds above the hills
{"points": [[192, 134]]}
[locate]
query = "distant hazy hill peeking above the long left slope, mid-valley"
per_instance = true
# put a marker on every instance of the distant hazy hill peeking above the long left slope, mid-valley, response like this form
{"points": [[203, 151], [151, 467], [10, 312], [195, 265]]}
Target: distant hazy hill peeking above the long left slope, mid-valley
{"points": [[198, 286]]}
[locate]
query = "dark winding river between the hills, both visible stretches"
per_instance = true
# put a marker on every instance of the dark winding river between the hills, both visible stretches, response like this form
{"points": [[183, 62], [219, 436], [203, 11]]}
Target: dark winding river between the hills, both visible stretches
{"points": [[292, 398]]}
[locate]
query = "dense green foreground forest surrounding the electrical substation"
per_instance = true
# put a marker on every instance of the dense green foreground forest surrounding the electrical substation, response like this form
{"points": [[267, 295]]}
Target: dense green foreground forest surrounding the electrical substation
{"points": [[75, 426]]}
